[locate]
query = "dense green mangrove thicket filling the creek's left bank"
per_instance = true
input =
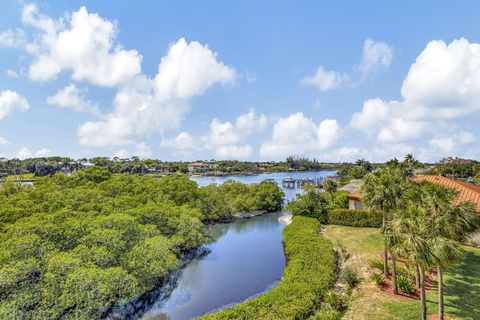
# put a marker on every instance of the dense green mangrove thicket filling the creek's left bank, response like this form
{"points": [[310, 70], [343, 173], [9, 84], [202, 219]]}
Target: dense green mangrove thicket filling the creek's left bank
{"points": [[71, 246]]}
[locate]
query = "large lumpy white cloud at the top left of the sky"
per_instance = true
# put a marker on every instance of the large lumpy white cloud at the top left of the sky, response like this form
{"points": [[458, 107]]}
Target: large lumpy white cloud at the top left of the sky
{"points": [[85, 44]]}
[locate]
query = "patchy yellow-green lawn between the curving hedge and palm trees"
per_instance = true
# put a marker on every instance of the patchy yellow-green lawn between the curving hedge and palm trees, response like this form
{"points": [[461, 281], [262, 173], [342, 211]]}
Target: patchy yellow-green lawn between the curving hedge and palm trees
{"points": [[461, 282]]}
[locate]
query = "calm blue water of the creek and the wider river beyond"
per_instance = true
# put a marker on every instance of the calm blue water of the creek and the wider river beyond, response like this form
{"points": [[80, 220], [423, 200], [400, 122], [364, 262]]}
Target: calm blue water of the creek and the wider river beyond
{"points": [[245, 259]]}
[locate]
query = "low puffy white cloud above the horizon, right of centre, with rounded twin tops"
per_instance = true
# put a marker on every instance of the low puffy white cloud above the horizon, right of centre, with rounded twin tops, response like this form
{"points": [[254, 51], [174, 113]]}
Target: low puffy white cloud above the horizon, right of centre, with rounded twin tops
{"points": [[299, 135]]}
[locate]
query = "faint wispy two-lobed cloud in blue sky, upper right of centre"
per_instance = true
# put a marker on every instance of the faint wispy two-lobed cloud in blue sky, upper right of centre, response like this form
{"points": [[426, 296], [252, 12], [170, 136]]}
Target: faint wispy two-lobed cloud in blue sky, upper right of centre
{"points": [[375, 56]]}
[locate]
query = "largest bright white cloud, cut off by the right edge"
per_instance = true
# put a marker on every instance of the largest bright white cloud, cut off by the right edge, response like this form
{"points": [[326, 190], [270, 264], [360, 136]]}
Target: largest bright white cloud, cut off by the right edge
{"points": [[442, 84]]}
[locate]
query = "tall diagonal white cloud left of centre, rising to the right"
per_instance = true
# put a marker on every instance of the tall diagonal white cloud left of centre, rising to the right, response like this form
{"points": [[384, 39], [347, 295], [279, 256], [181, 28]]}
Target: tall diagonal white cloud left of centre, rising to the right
{"points": [[147, 105]]}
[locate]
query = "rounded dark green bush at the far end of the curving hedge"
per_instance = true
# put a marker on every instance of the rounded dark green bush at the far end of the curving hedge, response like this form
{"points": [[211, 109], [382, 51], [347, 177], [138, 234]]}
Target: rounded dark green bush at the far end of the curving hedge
{"points": [[310, 204]]}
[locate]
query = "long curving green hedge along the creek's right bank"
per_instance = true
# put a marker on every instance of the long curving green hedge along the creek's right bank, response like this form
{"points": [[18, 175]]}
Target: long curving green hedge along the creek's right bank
{"points": [[309, 274]]}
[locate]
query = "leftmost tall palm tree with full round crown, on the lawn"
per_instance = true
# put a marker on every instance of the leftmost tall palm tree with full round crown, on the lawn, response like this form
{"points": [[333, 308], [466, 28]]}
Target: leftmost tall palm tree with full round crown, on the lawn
{"points": [[383, 191]]}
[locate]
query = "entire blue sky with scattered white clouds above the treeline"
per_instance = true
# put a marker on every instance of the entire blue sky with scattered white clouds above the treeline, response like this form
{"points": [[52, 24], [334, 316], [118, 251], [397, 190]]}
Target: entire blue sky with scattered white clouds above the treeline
{"points": [[249, 80]]}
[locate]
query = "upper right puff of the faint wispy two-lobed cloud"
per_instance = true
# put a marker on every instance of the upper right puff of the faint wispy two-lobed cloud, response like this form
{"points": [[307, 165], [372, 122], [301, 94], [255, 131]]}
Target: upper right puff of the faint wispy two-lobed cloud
{"points": [[375, 55]]}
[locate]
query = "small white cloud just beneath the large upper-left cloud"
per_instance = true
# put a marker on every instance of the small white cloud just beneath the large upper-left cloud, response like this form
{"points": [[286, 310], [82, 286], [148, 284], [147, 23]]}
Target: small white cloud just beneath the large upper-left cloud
{"points": [[74, 99]]}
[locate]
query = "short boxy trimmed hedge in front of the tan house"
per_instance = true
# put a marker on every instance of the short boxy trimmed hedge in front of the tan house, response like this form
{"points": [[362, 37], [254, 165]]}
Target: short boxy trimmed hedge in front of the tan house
{"points": [[355, 218]]}
